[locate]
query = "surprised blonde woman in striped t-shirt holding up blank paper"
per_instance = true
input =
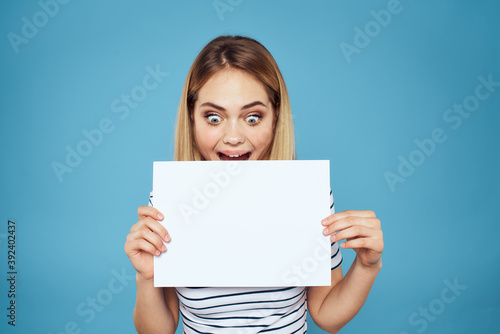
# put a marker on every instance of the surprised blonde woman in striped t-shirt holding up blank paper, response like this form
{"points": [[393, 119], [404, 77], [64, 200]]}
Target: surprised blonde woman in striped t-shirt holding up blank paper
{"points": [[235, 105]]}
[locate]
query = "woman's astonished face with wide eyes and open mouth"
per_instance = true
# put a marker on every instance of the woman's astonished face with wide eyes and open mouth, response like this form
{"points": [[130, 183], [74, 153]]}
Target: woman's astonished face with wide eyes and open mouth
{"points": [[233, 116]]}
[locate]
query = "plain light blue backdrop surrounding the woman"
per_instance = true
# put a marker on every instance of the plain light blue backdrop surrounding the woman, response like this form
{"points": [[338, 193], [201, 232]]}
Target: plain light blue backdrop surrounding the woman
{"points": [[361, 112]]}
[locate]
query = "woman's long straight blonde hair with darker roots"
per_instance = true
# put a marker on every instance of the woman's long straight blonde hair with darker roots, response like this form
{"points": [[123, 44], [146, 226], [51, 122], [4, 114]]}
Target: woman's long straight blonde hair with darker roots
{"points": [[243, 53]]}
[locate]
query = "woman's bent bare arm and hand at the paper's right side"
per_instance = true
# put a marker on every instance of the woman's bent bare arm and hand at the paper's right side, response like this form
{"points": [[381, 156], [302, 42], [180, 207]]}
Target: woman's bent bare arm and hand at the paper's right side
{"points": [[332, 307]]}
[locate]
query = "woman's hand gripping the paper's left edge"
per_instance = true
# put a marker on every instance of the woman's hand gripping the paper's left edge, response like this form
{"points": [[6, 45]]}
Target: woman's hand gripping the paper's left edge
{"points": [[145, 241]]}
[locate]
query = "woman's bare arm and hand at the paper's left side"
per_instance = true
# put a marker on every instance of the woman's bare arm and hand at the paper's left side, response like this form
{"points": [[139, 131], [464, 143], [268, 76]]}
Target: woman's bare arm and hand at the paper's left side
{"points": [[156, 309]]}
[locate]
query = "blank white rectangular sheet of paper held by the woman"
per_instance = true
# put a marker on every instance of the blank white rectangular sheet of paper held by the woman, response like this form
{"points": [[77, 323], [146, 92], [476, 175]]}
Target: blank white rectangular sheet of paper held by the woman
{"points": [[243, 223]]}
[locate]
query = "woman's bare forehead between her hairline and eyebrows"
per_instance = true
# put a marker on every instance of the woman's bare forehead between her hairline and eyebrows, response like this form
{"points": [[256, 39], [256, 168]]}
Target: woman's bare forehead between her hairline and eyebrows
{"points": [[232, 85]]}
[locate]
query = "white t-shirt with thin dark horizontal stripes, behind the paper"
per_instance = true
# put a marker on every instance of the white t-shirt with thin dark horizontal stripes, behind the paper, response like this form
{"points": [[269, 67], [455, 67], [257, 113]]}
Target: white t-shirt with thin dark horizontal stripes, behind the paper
{"points": [[247, 310]]}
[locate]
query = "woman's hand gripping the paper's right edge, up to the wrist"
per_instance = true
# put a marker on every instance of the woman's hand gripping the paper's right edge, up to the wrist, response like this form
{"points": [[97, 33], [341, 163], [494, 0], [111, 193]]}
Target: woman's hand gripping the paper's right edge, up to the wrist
{"points": [[362, 232]]}
